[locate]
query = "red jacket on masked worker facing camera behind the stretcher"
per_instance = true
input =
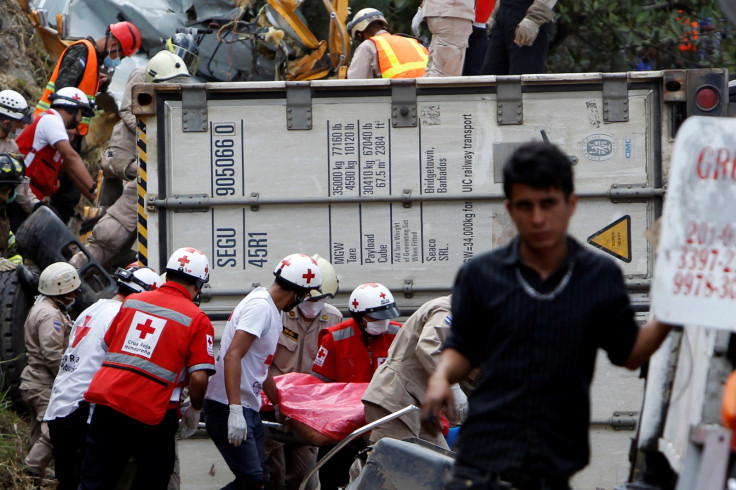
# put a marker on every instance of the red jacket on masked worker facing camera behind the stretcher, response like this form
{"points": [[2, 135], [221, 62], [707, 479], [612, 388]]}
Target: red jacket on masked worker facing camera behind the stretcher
{"points": [[343, 357]]}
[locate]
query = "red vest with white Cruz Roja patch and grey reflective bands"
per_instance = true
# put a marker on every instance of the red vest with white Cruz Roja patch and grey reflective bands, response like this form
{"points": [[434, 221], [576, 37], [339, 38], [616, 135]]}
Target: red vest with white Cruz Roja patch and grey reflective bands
{"points": [[148, 347]]}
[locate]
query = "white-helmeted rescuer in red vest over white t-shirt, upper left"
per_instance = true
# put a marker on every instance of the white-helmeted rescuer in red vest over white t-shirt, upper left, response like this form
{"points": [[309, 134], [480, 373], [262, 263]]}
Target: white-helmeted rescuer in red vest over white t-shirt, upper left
{"points": [[45, 147]]}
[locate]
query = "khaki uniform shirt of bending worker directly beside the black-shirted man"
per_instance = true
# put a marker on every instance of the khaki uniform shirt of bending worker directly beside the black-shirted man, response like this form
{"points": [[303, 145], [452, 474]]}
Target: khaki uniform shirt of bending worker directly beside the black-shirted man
{"points": [[412, 358]]}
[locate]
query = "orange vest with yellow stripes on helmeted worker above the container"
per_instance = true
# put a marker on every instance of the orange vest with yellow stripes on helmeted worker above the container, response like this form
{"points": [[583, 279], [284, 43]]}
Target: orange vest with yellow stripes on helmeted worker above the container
{"points": [[400, 57]]}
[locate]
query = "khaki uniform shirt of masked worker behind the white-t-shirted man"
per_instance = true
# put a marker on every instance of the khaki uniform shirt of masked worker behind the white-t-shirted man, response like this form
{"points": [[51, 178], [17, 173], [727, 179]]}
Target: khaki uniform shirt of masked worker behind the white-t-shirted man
{"points": [[298, 343]]}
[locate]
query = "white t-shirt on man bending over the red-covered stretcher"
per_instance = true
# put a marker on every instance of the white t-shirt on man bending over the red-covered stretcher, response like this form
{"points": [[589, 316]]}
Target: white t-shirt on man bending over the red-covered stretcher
{"points": [[256, 314]]}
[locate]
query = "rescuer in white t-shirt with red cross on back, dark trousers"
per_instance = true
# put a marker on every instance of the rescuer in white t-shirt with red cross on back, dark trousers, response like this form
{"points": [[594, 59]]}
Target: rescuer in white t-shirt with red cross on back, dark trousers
{"points": [[67, 411]]}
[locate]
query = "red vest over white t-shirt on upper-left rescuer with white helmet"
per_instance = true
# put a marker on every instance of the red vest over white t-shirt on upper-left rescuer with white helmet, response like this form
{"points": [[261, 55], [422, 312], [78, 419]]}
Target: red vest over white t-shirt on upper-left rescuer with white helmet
{"points": [[42, 166]]}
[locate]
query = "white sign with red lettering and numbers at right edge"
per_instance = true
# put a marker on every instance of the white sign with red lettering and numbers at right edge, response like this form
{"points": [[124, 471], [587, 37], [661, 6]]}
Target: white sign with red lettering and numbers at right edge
{"points": [[695, 271]]}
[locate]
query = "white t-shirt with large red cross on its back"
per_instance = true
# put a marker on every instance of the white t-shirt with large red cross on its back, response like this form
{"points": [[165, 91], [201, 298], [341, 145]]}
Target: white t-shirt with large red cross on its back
{"points": [[82, 359]]}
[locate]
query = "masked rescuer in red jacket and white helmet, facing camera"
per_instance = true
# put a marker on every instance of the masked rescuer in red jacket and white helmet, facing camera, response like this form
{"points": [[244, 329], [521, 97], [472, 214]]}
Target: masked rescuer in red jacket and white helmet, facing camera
{"points": [[351, 351]]}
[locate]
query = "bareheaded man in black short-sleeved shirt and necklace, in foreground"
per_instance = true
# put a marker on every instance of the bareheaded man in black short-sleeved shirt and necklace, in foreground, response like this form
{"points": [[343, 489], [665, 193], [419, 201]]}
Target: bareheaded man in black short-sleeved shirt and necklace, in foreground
{"points": [[532, 316]]}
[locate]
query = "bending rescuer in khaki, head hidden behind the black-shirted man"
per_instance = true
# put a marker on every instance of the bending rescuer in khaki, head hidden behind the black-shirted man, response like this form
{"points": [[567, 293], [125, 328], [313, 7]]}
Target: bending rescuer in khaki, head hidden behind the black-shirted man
{"points": [[401, 380]]}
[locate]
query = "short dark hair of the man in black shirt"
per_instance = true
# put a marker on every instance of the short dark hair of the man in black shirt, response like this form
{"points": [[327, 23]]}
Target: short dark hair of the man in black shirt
{"points": [[538, 165]]}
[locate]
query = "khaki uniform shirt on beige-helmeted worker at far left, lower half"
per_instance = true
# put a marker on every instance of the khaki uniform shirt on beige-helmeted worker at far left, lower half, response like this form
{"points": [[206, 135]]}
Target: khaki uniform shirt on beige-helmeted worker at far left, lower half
{"points": [[47, 337]]}
